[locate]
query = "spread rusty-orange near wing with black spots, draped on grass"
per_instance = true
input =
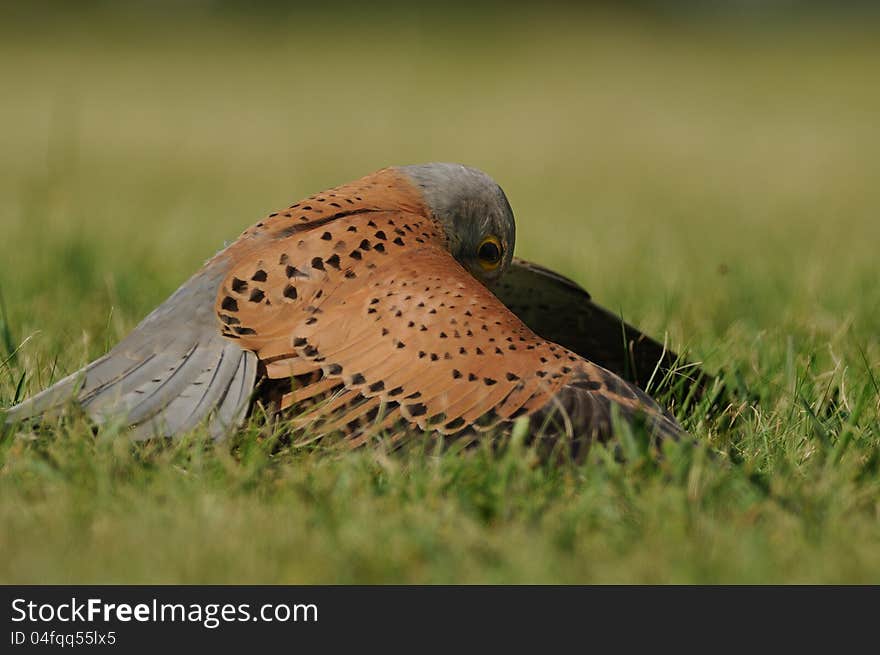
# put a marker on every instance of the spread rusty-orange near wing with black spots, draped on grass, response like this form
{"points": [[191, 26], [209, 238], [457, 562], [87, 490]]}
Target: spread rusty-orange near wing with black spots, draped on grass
{"points": [[371, 316]]}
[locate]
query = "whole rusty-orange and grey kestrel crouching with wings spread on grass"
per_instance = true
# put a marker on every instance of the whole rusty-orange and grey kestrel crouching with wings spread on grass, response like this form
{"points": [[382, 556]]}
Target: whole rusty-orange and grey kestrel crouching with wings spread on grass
{"points": [[384, 305]]}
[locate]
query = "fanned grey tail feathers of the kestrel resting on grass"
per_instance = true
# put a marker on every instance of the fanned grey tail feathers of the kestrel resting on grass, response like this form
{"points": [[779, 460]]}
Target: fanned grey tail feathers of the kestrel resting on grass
{"points": [[172, 372]]}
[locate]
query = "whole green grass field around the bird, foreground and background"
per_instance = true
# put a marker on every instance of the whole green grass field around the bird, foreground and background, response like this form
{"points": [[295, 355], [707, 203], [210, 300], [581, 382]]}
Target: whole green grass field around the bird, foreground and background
{"points": [[717, 184]]}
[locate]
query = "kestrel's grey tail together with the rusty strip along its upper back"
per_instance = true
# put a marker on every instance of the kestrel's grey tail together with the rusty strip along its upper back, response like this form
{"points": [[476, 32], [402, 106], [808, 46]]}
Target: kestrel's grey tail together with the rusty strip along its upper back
{"points": [[176, 369]]}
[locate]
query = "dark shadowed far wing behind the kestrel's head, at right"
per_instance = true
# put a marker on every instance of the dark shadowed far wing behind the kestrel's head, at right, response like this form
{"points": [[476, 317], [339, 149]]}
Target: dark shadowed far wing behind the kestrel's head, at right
{"points": [[560, 310]]}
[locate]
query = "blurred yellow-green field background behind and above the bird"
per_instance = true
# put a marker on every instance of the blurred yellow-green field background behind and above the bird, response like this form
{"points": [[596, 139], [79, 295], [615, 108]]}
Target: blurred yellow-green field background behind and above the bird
{"points": [[669, 163]]}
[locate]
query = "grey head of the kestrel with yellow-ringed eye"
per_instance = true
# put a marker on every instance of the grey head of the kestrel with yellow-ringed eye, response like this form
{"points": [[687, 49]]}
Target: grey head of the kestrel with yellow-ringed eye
{"points": [[475, 215]]}
